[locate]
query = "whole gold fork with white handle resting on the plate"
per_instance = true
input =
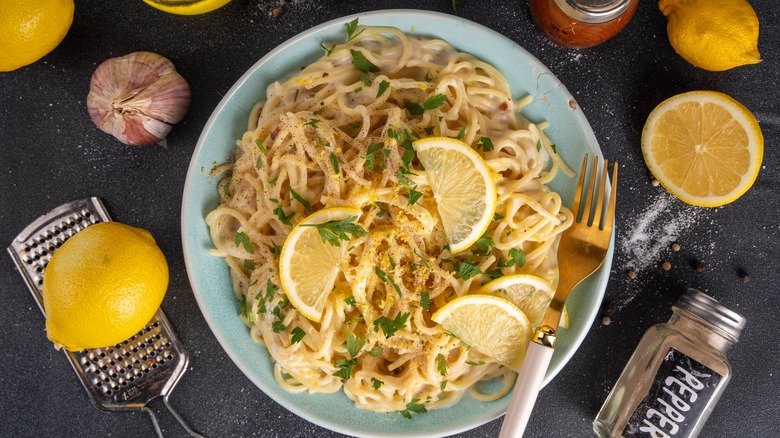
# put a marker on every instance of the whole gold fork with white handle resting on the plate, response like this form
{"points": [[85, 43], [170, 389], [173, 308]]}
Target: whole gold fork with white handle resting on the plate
{"points": [[581, 252]]}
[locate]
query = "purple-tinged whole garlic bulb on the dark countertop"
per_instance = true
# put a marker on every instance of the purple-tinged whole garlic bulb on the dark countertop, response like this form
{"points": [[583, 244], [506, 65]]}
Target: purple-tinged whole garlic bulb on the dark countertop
{"points": [[137, 98]]}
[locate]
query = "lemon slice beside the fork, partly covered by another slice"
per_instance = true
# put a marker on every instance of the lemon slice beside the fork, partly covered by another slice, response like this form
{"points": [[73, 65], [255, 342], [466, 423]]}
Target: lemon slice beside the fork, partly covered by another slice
{"points": [[529, 293]]}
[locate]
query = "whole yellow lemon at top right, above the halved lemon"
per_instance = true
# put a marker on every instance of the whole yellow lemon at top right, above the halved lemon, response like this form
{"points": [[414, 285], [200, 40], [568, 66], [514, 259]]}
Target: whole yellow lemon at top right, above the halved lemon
{"points": [[715, 35]]}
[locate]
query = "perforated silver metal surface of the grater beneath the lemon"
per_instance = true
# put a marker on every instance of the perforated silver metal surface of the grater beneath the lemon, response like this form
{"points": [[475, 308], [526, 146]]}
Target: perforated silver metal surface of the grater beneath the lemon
{"points": [[123, 376]]}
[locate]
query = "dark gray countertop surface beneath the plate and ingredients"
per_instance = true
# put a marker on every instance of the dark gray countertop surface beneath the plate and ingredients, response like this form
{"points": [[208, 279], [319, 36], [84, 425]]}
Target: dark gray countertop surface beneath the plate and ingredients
{"points": [[51, 153]]}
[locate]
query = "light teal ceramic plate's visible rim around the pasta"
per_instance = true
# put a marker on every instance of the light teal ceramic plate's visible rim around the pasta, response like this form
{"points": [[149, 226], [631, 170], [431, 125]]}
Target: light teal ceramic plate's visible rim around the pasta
{"points": [[209, 275]]}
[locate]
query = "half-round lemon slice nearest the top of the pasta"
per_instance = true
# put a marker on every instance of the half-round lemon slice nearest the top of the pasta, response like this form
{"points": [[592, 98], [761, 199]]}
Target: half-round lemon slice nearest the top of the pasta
{"points": [[463, 187]]}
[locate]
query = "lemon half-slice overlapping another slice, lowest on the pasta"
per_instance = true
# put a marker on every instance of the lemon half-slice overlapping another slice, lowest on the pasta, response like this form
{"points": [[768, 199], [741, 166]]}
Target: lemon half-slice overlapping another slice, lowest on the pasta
{"points": [[491, 324]]}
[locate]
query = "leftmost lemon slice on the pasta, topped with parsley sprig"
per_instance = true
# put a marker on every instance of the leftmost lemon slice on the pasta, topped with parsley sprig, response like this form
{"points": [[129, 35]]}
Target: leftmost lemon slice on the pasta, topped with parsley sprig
{"points": [[308, 267]]}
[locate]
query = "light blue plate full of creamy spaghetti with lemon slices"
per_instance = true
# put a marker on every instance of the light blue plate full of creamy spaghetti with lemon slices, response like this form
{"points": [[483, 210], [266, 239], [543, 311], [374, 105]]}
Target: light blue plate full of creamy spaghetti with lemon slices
{"points": [[371, 216]]}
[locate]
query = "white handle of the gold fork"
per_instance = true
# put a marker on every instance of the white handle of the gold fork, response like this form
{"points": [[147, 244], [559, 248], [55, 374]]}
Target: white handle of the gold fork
{"points": [[529, 382]]}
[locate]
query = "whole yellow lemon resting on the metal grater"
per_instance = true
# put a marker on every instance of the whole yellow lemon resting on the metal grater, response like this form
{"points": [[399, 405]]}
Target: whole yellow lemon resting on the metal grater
{"points": [[102, 286]]}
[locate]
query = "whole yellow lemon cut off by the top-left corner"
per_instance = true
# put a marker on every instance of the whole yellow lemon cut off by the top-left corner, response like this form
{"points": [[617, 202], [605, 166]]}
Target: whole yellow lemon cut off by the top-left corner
{"points": [[30, 29]]}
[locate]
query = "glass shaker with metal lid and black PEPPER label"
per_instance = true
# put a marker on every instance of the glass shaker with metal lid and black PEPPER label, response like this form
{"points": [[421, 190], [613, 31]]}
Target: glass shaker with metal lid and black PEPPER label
{"points": [[676, 375]]}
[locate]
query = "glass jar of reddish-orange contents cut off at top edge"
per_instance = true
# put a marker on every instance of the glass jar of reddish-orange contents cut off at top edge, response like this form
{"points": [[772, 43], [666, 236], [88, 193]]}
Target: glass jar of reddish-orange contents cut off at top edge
{"points": [[581, 23]]}
